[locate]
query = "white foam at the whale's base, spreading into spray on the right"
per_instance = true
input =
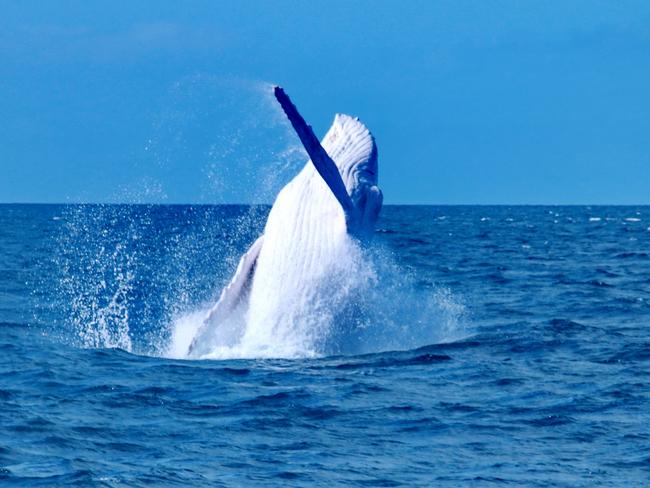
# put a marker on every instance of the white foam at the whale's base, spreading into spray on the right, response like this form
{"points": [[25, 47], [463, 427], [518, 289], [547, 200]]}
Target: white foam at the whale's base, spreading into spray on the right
{"points": [[362, 303]]}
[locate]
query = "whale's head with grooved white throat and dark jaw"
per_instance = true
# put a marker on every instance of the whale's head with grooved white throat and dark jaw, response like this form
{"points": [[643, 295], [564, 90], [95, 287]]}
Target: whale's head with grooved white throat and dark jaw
{"points": [[352, 147]]}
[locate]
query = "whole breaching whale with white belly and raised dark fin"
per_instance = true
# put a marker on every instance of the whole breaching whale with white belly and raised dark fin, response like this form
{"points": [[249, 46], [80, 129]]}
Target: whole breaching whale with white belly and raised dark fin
{"points": [[333, 202]]}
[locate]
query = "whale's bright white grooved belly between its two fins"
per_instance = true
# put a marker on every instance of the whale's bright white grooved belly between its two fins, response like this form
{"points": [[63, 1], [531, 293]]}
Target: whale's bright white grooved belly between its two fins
{"points": [[304, 240]]}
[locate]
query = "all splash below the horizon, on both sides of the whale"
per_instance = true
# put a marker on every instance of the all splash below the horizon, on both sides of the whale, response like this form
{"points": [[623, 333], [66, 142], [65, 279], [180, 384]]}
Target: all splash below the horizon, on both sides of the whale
{"points": [[142, 278]]}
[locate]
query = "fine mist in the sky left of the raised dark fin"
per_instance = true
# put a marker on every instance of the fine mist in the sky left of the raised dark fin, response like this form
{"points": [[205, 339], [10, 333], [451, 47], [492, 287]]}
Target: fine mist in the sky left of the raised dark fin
{"points": [[219, 139]]}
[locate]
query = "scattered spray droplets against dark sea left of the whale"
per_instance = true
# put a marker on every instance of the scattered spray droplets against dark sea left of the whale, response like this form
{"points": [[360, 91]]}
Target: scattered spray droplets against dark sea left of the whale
{"points": [[124, 271]]}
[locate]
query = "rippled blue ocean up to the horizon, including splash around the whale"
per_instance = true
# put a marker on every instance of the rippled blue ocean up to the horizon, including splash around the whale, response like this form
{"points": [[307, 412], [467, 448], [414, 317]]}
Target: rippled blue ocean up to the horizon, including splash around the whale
{"points": [[494, 346]]}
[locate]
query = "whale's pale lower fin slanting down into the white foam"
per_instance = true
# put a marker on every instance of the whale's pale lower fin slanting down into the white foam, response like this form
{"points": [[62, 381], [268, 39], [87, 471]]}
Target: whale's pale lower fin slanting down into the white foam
{"points": [[231, 295]]}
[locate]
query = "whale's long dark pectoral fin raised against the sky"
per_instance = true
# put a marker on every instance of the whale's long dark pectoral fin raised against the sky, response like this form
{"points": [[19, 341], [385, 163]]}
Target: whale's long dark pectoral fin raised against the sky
{"points": [[319, 157]]}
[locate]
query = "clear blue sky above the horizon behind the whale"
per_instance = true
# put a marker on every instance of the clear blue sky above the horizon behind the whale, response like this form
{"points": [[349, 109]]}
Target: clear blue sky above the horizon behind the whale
{"points": [[470, 101]]}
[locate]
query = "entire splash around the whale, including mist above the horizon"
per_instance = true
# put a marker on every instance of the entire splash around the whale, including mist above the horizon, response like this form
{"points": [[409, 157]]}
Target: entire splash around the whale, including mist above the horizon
{"points": [[142, 277]]}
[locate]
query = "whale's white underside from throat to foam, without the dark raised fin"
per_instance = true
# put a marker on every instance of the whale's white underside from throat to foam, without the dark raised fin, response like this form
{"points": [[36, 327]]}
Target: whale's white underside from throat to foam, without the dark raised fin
{"points": [[279, 300]]}
